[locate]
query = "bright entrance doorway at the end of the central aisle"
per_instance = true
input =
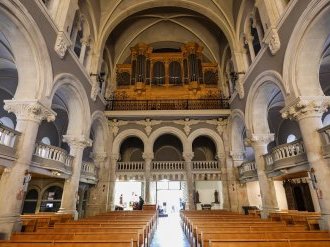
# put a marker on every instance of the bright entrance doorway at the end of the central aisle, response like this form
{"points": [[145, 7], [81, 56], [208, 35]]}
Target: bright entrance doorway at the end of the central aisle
{"points": [[169, 197]]}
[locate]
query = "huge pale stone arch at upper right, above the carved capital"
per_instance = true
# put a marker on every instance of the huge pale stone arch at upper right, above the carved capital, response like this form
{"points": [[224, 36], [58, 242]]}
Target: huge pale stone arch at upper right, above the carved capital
{"points": [[304, 51]]}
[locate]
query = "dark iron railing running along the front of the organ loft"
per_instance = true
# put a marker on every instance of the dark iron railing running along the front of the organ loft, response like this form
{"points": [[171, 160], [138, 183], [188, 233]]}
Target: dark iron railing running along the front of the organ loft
{"points": [[145, 105]]}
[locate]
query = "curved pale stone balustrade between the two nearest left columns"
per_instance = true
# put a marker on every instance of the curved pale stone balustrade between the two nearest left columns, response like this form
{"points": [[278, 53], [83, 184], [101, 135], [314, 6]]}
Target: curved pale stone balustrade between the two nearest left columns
{"points": [[53, 153]]}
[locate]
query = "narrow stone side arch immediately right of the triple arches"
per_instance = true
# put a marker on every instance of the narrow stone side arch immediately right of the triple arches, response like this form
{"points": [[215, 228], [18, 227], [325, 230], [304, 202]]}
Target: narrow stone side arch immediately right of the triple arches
{"points": [[236, 128]]}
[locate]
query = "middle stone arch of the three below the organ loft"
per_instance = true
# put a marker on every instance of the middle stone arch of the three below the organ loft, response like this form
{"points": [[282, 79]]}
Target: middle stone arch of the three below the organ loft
{"points": [[167, 130]]}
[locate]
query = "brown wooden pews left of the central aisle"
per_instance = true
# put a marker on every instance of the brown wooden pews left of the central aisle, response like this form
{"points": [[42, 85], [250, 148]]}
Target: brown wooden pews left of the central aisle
{"points": [[111, 229]]}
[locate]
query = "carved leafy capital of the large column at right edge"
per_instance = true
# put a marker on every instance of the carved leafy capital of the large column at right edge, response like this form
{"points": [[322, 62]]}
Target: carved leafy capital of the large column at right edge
{"points": [[308, 106]]}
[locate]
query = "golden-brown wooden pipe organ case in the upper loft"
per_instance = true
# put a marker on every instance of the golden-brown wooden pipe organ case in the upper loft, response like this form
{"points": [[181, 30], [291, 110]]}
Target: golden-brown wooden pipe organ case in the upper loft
{"points": [[170, 74]]}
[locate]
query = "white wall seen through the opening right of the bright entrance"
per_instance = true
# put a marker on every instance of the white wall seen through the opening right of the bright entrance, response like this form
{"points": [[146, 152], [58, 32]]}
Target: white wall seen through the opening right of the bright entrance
{"points": [[206, 191]]}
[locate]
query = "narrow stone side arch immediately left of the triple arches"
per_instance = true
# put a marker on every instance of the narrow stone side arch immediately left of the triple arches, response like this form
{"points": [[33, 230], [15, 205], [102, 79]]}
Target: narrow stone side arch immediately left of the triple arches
{"points": [[99, 125]]}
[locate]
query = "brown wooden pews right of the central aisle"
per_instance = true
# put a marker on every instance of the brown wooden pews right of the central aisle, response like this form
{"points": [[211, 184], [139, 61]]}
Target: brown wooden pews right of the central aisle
{"points": [[218, 228]]}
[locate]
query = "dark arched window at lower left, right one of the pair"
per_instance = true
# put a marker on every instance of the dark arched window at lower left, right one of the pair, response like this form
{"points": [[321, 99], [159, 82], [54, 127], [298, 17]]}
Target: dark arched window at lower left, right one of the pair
{"points": [[51, 199]]}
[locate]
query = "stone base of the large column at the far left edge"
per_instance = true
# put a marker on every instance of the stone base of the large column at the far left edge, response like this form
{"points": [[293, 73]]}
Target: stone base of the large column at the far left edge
{"points": [[8, 225]]}
